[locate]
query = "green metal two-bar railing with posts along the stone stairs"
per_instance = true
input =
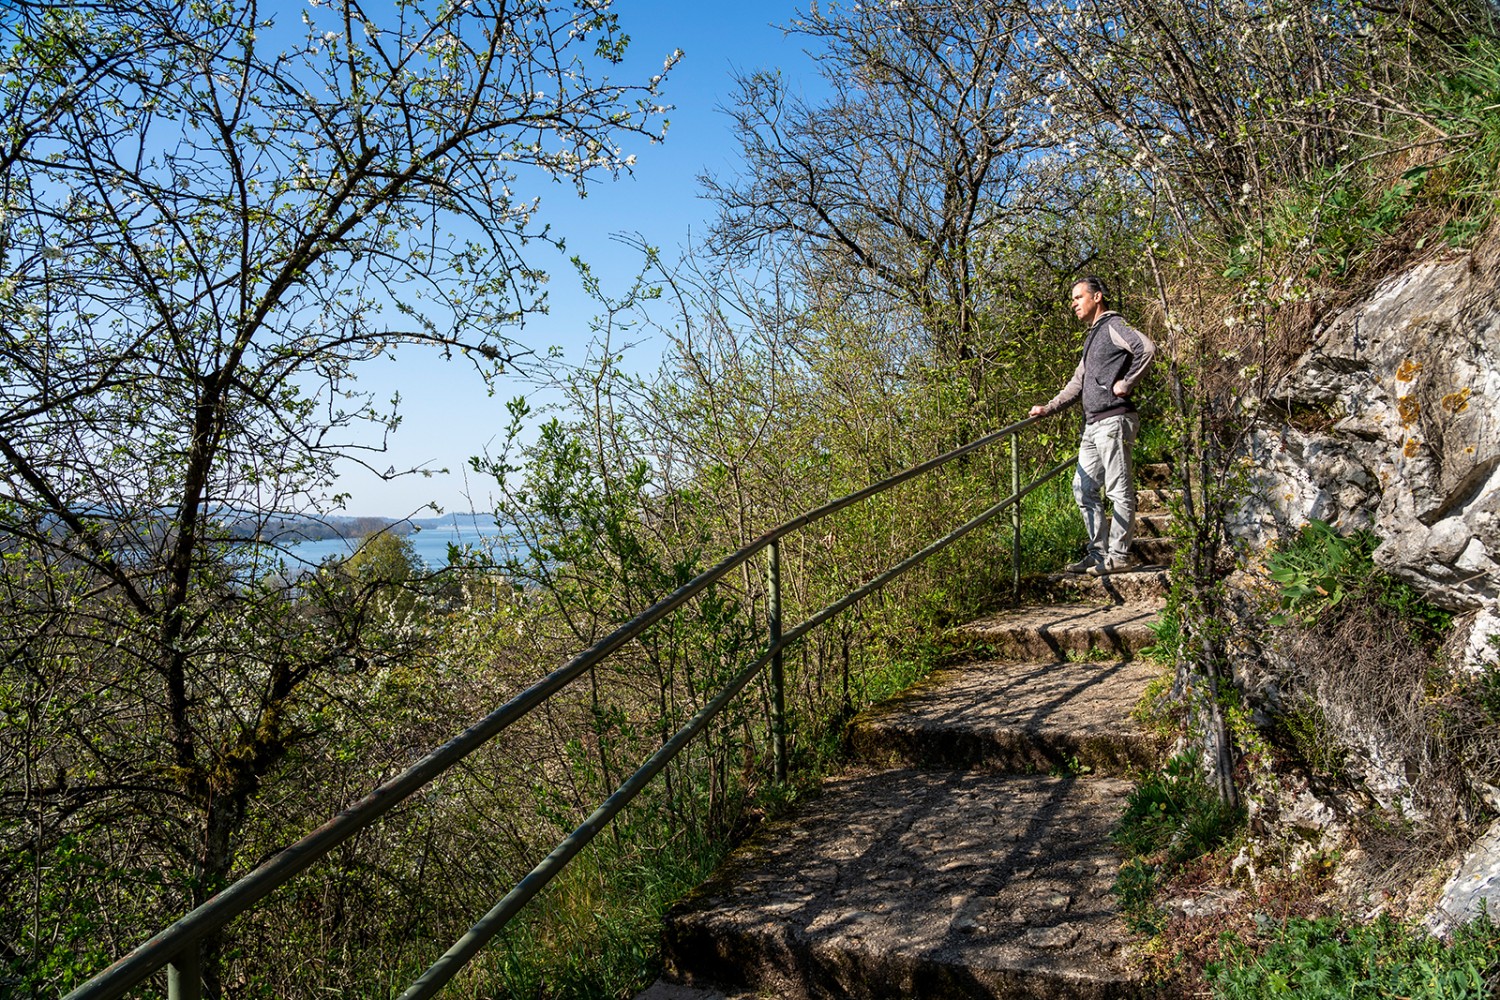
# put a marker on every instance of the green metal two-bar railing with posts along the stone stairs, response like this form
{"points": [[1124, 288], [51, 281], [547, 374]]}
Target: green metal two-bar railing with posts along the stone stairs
{"points": [[178, 947]]}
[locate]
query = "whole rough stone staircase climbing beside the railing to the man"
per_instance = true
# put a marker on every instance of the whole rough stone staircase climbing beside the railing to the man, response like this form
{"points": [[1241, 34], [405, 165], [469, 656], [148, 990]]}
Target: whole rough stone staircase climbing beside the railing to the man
{"points": [[967, 851]]}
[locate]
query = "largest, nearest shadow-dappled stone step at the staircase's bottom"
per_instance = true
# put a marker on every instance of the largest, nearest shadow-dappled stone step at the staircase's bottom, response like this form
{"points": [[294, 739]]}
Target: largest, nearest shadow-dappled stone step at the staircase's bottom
{"points": [[919, 885]]}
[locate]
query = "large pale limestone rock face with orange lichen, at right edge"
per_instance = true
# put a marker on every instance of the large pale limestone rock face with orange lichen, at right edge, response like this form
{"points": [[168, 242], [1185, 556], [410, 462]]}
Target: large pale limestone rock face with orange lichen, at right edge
{"points": [[1396, 427]]}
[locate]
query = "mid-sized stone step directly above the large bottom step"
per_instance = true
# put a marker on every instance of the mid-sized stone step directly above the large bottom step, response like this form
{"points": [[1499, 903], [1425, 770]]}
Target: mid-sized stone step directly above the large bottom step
{"points": [[1021, 717]]}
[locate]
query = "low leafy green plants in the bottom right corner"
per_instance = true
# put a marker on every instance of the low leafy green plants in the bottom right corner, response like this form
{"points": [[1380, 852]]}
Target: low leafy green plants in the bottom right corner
{"points": [[1336, 957]]}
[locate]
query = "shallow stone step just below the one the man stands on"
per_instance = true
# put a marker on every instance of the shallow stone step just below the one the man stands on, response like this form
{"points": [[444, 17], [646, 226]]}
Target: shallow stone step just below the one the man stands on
{"points": [[1061, 632]]}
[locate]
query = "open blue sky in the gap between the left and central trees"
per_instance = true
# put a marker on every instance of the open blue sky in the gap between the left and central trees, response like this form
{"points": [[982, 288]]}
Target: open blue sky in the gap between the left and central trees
{"points": [[448, 416]]}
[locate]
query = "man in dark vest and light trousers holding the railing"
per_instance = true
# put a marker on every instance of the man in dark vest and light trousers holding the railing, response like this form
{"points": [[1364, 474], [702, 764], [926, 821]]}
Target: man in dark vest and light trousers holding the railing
{"points": [[1115, 356]]}
